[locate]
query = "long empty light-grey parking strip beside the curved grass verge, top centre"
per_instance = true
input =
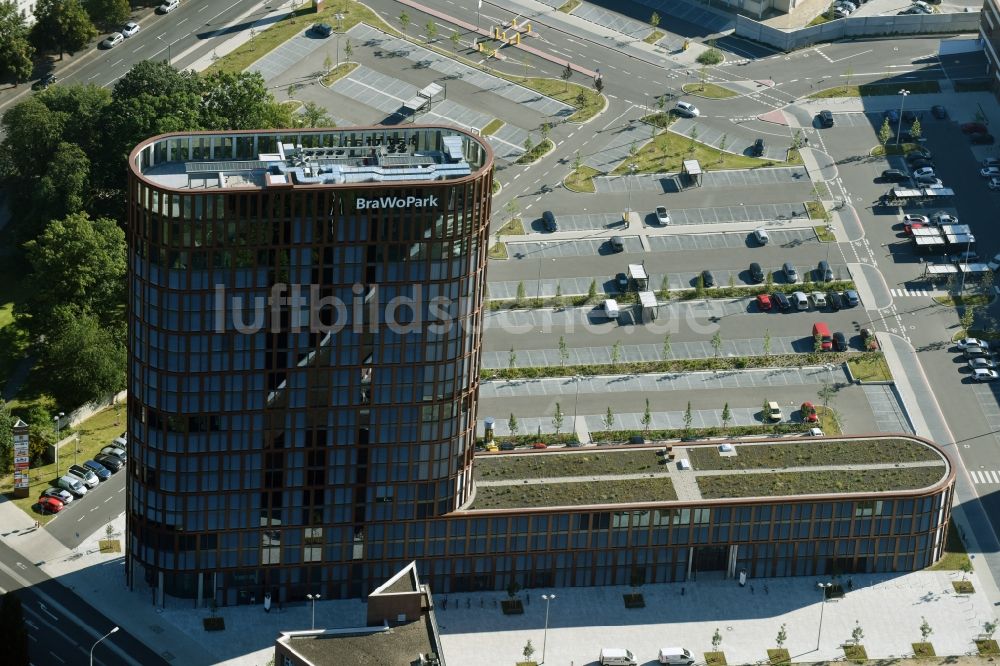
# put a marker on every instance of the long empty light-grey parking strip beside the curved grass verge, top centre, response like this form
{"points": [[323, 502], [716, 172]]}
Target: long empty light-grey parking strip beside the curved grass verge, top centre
{"points": [[456, 70]]}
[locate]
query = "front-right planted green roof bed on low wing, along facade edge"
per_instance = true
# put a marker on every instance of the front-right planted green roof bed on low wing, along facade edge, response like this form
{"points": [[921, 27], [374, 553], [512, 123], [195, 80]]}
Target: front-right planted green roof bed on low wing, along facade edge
{"points": [[818, 482]]}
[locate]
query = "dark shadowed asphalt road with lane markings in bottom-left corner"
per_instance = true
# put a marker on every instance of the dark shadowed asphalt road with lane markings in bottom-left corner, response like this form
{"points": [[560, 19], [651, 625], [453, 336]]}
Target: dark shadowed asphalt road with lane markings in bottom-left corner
{"points": [[62, 626]]}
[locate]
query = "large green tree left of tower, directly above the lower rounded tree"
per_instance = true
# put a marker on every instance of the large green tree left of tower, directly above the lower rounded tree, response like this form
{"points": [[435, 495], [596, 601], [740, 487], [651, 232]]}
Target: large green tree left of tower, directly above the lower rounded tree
{"points": [[77, 266]]}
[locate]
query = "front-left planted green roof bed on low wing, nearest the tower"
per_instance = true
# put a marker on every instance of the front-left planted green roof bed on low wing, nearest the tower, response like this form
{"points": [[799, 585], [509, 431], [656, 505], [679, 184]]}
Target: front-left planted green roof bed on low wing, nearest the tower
{"points": [[574, 494]]}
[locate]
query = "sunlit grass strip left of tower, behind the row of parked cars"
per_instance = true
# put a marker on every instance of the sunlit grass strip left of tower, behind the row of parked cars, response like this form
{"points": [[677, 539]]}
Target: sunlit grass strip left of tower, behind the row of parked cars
{"points": [[95, 433]]}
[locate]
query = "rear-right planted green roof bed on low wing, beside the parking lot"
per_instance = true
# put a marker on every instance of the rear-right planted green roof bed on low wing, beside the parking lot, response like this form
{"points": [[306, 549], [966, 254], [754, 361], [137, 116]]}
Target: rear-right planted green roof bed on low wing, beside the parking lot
{"points": [[807, 452]]}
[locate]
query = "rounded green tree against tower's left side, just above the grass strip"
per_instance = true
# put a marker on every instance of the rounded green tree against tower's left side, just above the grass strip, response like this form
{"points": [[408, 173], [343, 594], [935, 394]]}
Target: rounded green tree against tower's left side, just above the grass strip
{"points": [[84, 361]]}
